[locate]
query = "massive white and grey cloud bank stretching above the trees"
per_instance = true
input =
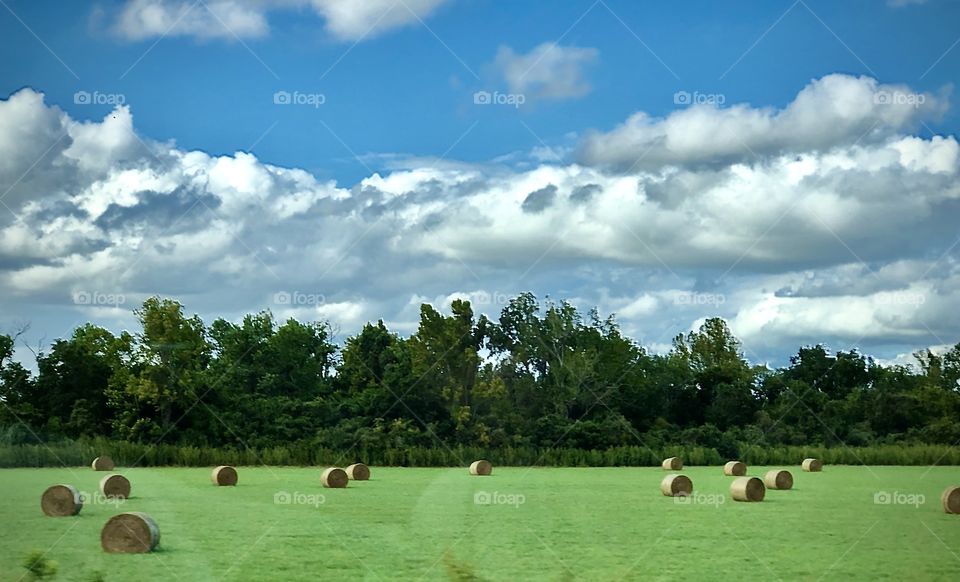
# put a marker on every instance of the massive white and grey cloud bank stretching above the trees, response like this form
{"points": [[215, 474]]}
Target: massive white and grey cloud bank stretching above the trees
{"points": [[813, 238]]}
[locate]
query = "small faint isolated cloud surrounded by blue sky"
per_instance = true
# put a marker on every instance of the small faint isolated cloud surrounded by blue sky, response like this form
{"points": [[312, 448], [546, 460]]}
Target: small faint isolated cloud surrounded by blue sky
{"points": [[549, 71]]}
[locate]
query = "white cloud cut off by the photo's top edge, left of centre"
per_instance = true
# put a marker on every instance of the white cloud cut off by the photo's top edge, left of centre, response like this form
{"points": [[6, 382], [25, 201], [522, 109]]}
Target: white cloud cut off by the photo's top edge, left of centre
{"points": [[232, 19]]}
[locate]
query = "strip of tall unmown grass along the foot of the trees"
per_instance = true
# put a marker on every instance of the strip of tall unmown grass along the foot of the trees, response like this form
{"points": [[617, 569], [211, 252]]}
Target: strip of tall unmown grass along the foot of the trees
{"points": [[137, 454]]}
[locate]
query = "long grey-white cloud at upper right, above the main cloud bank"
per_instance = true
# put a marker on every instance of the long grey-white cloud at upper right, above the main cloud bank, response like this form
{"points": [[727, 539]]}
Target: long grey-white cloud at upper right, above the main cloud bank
{"points": [[832, 111]]}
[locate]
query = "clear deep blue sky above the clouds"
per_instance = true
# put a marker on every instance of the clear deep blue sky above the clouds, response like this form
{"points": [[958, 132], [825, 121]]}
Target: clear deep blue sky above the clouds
{"points": [[406, 92]]}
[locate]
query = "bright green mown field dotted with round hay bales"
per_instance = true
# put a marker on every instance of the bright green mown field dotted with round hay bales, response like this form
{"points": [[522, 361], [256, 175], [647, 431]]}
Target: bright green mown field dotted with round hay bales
{"points": [[549, 524]]}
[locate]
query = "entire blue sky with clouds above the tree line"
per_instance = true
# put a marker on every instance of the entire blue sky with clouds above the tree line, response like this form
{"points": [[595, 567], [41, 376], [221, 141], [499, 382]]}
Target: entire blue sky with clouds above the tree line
{"points": [[791, 166]]}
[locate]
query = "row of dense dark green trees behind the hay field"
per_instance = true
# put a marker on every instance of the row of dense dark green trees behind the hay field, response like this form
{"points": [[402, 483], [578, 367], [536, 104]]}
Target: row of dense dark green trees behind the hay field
{"points": [[542, 376]]}
